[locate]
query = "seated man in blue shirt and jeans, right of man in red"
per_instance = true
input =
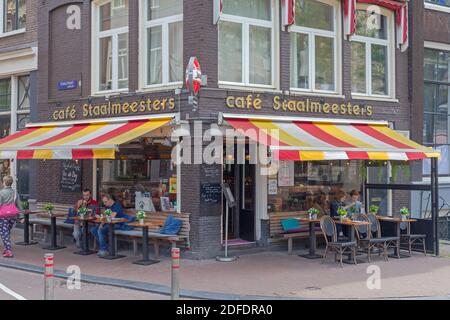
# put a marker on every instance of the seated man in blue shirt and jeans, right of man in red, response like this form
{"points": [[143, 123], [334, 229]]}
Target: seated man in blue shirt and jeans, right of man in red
{"points": [[100, 231]]}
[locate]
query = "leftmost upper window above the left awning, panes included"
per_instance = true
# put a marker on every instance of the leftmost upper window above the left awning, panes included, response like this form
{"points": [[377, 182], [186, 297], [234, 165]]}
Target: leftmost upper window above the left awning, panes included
{"points": [[111, 45]]}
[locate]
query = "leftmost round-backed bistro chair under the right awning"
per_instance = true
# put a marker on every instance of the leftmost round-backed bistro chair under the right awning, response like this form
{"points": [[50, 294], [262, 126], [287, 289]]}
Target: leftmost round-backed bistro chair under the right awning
{"points": [[329, 231]]}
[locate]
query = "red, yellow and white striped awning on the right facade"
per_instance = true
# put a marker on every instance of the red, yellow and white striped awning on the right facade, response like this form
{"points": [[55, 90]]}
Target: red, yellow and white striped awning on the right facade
{"points": [[314, 140]]}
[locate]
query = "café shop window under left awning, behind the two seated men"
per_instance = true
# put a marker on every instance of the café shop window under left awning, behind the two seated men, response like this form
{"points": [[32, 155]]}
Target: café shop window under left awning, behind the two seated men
{"points": [[143, 177]]}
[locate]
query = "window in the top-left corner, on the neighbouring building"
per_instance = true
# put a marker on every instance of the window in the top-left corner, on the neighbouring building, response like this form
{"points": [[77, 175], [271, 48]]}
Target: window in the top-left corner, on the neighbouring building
{"points": [[12, 15]]}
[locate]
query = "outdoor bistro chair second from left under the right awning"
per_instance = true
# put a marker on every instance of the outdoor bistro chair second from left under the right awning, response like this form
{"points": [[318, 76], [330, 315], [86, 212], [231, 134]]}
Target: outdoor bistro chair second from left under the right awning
{"points": [[366, 239]]}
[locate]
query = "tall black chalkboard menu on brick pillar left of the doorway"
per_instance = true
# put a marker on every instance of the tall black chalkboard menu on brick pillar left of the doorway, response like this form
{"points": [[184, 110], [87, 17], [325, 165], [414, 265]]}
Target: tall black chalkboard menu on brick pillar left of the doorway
{"points": [[211, 190]]}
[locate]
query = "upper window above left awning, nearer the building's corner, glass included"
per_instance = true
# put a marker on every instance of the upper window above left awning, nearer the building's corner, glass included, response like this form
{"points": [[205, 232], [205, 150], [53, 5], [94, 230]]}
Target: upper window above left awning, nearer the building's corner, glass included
{"points": [[163, 42]]}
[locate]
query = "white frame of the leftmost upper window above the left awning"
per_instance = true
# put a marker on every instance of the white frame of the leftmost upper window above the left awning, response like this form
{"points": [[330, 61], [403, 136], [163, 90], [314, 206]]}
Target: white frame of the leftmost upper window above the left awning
{"points": [[97, 35]]}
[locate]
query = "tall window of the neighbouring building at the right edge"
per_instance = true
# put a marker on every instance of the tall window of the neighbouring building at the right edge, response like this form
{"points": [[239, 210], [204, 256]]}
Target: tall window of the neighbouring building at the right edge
{"points": [[437, 105]]}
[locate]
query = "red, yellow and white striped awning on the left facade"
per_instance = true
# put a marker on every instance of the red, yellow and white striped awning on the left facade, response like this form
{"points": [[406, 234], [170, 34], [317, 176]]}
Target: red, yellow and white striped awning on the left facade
{"points": [[94, 140]]}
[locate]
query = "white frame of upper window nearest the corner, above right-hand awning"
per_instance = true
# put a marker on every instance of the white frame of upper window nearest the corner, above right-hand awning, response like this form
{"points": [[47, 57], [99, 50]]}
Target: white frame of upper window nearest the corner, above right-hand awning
{"points": [[246, 23]]}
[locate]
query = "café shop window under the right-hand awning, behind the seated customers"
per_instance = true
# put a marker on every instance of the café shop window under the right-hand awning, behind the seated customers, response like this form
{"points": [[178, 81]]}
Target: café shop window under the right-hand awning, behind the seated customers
{"points": [[300, 185]]}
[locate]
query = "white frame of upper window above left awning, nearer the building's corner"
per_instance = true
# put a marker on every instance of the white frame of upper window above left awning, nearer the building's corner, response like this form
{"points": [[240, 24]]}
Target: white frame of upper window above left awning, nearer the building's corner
{"points": [[145, 26]]}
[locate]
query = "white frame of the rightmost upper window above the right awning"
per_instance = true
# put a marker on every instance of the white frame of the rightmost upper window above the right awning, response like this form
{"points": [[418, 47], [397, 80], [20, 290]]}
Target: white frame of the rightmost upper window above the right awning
{"points": [[389, 43]]}
